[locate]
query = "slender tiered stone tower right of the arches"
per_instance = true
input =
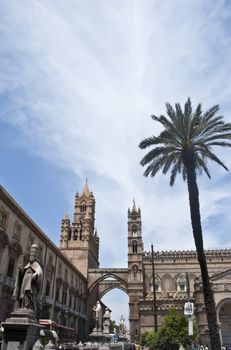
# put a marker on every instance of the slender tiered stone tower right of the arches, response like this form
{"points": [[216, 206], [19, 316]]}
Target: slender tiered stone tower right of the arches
{"points": [[135, 269]]}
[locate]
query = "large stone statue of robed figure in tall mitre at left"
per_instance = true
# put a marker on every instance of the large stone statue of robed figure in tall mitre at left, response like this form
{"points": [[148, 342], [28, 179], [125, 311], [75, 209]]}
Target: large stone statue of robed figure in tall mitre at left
{"points": [[28, 281]]}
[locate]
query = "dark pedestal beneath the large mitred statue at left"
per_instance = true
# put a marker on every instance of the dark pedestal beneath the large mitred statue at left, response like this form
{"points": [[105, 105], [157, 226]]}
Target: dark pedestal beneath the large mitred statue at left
{"points": [[21, 330]]}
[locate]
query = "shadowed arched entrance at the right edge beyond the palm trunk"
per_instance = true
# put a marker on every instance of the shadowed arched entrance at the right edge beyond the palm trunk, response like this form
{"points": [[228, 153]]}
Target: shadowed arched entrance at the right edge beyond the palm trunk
{"points": [[225, 321]]}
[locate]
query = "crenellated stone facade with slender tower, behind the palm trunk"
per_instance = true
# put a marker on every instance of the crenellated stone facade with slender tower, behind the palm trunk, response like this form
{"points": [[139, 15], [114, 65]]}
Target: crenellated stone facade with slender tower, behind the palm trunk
{"points": [[177, 279]]}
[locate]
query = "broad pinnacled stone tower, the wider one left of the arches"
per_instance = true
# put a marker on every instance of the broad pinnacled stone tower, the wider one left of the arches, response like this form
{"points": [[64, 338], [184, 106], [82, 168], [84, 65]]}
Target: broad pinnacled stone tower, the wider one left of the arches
{"points": [[79, 241]]}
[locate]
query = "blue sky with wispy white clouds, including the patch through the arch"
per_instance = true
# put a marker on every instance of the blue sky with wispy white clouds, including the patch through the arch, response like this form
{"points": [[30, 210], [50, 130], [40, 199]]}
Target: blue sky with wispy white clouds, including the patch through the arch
{"points": [[78, 83]]}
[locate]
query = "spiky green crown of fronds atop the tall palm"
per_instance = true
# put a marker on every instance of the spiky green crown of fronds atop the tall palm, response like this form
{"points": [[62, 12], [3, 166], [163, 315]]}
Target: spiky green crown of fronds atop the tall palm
{"points": [[185, 132]]}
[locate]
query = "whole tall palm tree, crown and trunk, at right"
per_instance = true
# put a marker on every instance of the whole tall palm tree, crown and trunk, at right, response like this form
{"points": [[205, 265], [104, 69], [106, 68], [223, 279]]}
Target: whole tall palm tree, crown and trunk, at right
{"points": [[184, 146]]}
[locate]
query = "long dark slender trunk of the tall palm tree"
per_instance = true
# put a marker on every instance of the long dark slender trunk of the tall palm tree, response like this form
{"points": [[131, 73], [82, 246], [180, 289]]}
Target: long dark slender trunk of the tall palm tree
{"points": [[197, 233]]}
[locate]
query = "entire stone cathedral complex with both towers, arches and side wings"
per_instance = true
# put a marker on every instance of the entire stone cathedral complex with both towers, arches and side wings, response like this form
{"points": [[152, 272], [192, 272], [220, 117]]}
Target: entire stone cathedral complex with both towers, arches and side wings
{"points": [[73, 281]]}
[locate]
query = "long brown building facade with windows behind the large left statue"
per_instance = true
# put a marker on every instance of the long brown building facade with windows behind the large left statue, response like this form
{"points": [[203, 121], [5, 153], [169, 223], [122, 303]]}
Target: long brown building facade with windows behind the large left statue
{"points": [[64, 287]]}
